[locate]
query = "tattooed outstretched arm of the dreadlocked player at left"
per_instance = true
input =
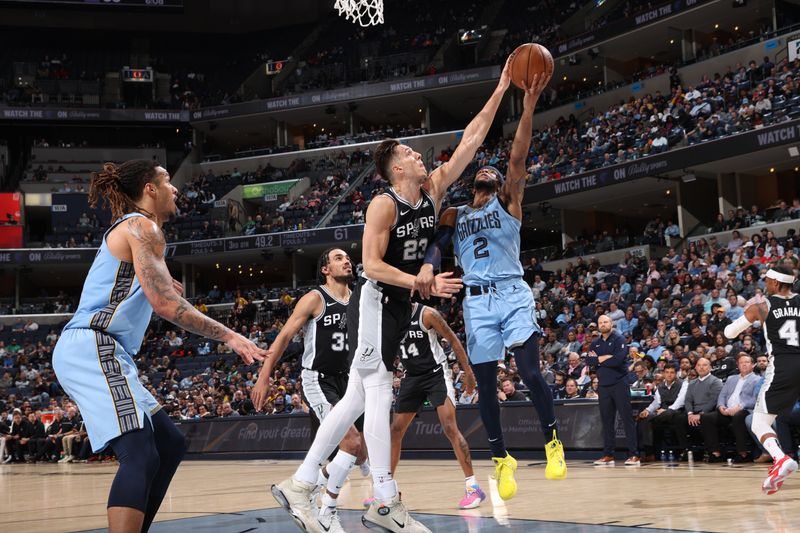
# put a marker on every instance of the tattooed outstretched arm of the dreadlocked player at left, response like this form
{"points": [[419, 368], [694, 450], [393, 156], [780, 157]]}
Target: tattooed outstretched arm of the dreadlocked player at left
{"points": [[147, 248]]}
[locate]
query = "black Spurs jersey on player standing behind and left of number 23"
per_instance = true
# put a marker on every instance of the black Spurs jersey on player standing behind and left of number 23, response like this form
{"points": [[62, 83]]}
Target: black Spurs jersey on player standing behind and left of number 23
{"points": [[325, 337]]}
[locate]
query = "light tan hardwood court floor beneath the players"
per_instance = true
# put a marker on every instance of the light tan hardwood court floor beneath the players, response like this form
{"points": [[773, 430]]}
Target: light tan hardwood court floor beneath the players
{"points": [[47, 498]]}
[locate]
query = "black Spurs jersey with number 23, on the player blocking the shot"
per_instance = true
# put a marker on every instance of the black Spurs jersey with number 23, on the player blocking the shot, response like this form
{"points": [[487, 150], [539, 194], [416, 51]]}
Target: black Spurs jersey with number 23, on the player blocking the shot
{"points": [[414, 228]]}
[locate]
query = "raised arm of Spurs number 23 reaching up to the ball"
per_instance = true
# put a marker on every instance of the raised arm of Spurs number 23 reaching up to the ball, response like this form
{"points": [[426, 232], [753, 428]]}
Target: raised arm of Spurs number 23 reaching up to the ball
{"points": [[474, 134]]}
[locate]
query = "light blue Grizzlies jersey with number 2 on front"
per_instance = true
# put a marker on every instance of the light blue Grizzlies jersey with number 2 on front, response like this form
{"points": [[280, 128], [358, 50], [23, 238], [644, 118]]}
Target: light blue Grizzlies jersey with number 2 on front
{"points": [[486, 243]]}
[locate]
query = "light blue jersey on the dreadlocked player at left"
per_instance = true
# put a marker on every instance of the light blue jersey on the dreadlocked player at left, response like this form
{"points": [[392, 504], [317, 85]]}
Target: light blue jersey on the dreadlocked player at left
{"points": [[112, 300]]}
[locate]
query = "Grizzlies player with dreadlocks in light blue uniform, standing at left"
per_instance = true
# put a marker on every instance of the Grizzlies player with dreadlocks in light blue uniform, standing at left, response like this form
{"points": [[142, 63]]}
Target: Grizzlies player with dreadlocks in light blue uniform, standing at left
{"points": [[93, 358]]}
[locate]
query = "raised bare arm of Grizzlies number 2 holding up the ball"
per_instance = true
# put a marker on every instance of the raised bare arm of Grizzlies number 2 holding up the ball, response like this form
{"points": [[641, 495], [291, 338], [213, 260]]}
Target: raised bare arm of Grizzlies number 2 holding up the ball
{"points": [[514, 186]]}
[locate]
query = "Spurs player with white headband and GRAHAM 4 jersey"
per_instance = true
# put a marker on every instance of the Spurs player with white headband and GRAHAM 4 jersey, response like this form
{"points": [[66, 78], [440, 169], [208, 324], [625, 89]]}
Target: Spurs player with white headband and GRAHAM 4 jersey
{"points": [[779, 314]]}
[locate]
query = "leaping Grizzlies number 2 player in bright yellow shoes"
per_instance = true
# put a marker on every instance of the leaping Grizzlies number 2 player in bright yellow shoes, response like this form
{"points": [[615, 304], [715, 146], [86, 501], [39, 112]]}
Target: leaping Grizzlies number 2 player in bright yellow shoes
{"points": [[498, 304]]}
